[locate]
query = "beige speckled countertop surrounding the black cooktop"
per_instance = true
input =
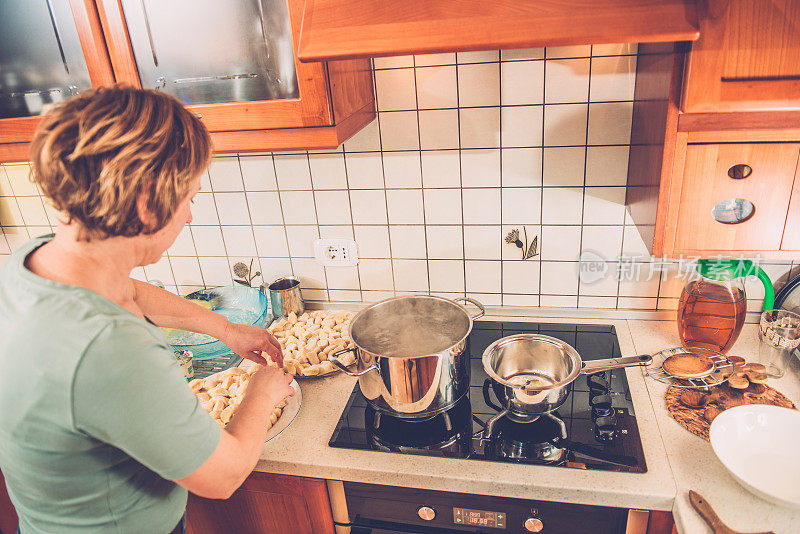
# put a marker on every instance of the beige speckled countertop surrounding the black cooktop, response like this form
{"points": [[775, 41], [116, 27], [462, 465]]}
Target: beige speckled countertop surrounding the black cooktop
{"points": [[676, 460]]}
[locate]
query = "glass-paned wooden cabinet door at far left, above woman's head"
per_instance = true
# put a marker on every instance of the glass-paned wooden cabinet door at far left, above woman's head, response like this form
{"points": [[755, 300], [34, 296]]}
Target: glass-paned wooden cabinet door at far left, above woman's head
{"points": [[48, 52]]}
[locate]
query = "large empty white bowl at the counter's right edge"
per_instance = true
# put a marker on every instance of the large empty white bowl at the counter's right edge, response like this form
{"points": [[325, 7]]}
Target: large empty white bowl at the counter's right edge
{"points": [[758, 445]]}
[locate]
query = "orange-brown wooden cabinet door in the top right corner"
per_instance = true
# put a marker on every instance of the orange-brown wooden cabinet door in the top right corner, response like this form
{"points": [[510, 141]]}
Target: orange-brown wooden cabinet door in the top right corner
{"points": [[747, 57]]}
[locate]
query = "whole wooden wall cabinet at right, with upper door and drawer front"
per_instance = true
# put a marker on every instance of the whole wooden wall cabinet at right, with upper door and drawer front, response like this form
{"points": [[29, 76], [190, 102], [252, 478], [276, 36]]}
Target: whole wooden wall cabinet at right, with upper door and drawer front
{"points": [[692, 125]]}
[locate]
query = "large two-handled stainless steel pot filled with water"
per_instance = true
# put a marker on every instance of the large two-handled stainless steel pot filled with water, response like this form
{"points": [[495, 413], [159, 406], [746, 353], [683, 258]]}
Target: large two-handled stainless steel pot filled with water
{"points": [[410, 354]]}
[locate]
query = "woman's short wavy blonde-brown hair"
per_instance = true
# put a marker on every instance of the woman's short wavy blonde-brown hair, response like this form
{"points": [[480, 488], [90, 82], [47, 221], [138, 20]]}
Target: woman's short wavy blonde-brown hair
{"points": [[96, 153]]}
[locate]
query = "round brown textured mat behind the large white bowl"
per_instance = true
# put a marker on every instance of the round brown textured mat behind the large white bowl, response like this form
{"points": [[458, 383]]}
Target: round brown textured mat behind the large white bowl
{"points": [[693, 419]]}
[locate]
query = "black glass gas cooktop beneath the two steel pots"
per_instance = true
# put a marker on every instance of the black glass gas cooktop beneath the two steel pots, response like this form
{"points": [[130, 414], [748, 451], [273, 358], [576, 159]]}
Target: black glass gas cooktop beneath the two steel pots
{"points": [[594, 429]]}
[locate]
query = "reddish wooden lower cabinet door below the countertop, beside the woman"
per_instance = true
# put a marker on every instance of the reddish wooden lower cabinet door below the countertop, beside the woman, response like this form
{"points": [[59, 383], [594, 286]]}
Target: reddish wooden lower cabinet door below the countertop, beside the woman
{"points": [[277, 504]]}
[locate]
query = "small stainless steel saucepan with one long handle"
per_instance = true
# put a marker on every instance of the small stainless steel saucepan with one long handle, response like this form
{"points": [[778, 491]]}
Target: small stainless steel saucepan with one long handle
{"points": [[537, 370]]}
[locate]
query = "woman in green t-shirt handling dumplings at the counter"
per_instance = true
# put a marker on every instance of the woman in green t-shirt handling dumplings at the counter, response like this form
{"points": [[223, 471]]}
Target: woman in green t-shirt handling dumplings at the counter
{"points": [[99, 431]]}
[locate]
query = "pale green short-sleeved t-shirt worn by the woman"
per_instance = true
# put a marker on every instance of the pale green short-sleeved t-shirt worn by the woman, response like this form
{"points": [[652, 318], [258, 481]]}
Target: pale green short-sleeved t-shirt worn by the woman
{"points": [[96, 418]]}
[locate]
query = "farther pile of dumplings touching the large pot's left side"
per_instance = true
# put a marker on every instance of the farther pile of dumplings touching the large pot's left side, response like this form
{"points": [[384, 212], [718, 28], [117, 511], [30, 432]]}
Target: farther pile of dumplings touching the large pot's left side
{"points": [[307, 341]]}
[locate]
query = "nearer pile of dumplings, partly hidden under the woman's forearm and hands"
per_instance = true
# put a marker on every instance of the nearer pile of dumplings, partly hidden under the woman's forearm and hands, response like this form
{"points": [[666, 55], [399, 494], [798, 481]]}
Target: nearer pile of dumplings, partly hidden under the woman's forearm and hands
{"points": [[221, 394]]}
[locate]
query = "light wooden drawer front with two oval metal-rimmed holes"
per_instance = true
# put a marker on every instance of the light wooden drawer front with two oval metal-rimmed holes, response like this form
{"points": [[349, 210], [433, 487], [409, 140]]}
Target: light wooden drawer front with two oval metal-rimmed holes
{"points": [[706, 182]]}
